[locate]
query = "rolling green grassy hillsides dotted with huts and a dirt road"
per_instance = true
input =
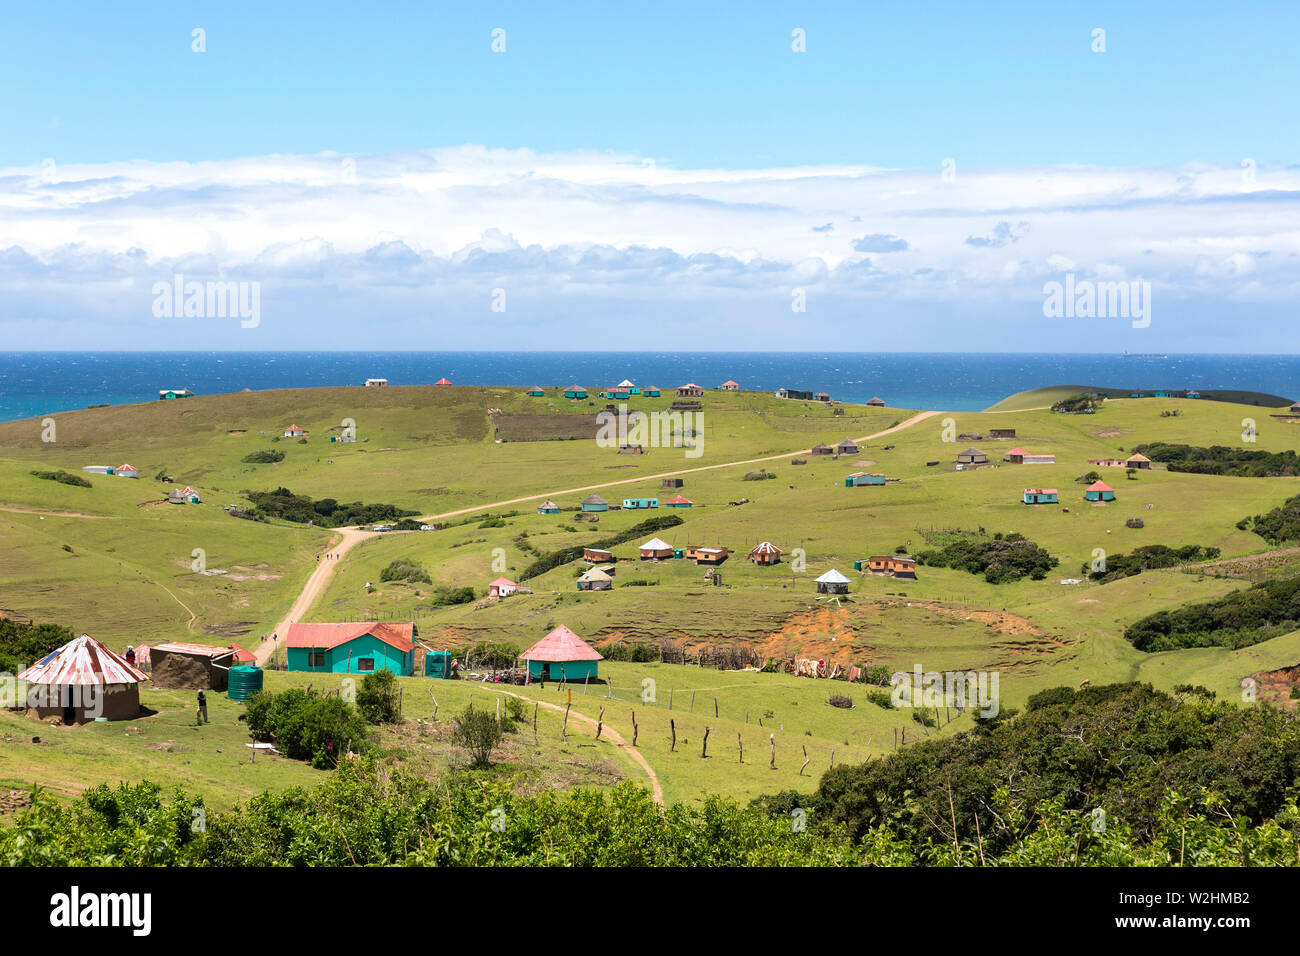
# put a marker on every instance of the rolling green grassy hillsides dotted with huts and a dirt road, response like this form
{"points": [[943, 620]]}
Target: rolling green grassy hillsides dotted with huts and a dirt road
{"points": [[120, 563]]}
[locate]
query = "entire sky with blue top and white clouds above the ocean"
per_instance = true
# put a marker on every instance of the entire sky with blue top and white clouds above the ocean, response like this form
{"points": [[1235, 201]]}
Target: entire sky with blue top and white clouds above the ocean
{"points": [[675, 165]]}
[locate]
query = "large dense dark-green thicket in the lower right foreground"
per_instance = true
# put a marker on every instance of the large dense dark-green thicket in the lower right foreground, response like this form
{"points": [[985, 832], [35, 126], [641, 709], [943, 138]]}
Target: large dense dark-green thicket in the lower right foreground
{"points": [[1121, 755]]}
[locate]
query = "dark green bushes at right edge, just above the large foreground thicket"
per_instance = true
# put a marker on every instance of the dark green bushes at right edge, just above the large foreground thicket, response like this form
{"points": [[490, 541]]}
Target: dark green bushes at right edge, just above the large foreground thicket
{"points": [[1234, 621]]}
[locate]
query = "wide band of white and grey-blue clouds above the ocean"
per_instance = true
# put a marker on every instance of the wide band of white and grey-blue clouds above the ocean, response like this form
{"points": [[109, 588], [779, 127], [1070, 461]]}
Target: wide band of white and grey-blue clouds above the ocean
{"points": [[473, 248]]}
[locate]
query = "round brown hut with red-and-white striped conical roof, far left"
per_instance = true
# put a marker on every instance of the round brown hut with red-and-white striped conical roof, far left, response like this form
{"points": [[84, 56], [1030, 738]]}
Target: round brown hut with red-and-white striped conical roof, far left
{"points": [[83, 681]]}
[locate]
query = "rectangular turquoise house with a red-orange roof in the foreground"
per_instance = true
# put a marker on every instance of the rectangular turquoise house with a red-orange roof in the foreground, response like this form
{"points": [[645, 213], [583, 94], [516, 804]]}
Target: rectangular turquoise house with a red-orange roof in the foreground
{"points": [[357, 648]]}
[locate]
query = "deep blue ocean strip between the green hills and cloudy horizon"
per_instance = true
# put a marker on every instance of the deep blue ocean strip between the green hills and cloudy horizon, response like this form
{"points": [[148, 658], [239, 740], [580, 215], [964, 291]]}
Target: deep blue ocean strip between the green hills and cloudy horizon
{"points": [[34, 384]]}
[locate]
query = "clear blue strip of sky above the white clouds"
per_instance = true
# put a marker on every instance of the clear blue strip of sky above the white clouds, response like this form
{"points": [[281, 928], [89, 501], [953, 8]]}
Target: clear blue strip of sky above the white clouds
{"points": [[691, 84]]}
